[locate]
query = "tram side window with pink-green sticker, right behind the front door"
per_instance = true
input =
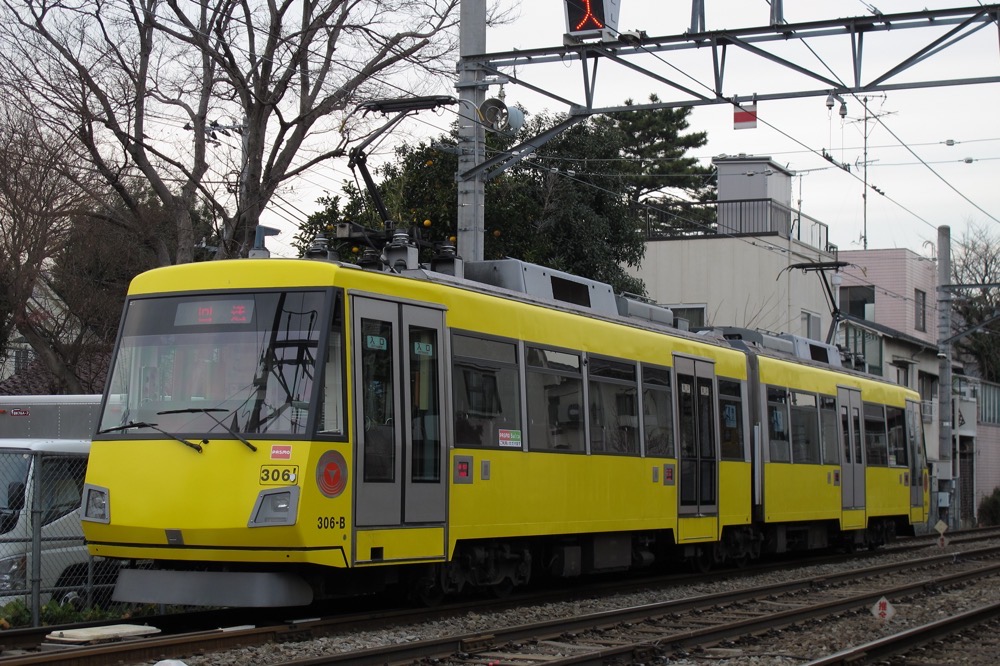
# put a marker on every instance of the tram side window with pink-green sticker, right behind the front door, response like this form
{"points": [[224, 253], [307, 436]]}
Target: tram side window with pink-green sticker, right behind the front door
{"points": [[487, 393]]}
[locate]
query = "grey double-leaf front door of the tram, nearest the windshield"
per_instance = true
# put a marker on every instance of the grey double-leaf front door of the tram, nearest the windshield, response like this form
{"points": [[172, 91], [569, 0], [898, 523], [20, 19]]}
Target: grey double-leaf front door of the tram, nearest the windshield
{"points": [[400, 451]]}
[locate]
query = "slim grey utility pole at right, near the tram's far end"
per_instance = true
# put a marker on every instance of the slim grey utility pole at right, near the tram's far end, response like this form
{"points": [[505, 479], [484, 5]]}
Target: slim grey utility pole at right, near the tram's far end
{"points": [[944, 371]]}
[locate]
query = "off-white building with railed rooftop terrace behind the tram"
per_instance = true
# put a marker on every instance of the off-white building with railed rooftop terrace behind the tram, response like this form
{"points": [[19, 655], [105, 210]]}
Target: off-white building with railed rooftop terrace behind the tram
{"points": [[740, 272]]}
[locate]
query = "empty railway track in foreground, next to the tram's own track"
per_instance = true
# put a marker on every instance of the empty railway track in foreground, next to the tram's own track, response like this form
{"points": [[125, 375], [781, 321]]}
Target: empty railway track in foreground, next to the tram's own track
{"points": [[742, 625]]}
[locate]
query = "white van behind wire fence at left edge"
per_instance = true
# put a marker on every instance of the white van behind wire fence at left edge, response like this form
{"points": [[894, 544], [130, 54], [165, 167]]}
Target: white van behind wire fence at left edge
{"points": [[44, 444]]}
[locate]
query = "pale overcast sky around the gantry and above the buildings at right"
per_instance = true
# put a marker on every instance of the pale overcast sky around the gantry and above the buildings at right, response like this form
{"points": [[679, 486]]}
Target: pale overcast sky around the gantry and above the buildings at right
{"points": [[958, 185]]}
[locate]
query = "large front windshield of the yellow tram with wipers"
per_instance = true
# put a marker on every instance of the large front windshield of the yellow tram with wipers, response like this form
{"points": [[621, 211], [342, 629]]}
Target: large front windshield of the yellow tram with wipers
{"points": [[242, 363]]}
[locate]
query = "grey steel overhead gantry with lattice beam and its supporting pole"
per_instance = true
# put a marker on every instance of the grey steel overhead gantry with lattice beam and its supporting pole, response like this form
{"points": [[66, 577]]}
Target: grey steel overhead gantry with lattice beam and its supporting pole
{"points": [[655, 57]]}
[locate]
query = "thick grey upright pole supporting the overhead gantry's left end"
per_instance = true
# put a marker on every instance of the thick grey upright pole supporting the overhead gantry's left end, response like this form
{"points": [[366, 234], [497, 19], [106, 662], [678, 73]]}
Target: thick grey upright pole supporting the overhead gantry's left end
{"points": [[471, 132]]}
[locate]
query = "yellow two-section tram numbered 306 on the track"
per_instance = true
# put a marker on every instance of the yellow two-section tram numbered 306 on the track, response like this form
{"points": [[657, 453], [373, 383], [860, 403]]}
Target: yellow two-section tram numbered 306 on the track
{"points": [[278, 430]]}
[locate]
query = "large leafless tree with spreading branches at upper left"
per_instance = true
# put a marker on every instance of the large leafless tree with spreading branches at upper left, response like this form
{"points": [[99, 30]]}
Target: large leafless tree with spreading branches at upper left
{"points": [[218, 102]]}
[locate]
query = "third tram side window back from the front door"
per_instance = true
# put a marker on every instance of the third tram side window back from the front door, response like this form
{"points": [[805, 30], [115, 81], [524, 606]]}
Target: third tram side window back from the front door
{"points": [[614, 409]]}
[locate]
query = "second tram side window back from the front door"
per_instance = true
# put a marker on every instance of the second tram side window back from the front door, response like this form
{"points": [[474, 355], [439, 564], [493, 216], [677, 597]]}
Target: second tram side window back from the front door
{"points": [[555, 401]]}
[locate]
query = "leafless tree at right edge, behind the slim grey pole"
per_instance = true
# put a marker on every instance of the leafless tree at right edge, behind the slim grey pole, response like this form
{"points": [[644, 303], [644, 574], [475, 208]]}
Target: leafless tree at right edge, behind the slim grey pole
{"points": [[977, 262]]}
